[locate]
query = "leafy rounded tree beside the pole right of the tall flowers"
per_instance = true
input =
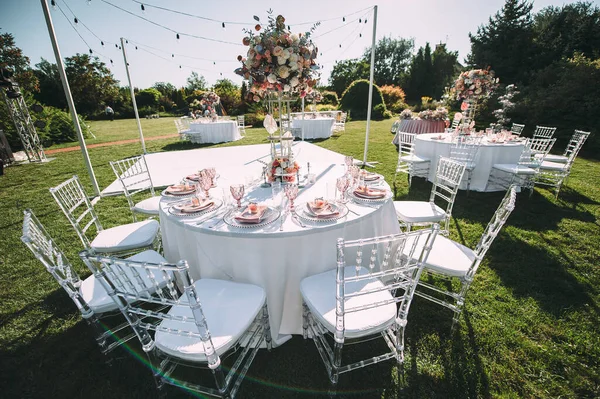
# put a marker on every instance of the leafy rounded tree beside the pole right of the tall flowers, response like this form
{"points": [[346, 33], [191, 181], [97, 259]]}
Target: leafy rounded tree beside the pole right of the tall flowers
{"points": [[392, 59]]}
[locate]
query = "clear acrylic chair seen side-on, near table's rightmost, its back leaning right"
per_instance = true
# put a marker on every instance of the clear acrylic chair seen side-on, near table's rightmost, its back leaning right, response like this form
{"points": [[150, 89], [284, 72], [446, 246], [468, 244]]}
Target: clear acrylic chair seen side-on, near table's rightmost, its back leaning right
{"points": [[453, 261]]}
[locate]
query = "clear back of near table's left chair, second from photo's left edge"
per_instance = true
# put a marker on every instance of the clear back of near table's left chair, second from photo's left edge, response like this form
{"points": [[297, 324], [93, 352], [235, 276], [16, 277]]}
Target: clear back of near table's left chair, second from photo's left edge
{"points": [[75, 204]]}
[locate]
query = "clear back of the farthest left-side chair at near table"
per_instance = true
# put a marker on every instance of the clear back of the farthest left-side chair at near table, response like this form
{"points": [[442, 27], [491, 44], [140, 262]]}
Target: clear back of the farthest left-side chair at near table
{"points": [[134, 176]]}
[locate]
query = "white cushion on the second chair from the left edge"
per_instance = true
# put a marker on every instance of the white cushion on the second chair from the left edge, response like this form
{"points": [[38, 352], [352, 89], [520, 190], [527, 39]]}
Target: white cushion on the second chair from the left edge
{"points": [[126, 237]]}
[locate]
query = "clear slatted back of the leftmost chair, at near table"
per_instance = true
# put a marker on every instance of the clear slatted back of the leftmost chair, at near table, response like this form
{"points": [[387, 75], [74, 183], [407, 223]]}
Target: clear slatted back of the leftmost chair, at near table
{"points": [[49, 254]]}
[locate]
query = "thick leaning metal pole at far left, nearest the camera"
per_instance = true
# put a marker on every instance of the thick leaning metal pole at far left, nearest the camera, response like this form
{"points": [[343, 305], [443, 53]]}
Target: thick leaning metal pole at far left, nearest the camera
{"points": [[67, 89]]}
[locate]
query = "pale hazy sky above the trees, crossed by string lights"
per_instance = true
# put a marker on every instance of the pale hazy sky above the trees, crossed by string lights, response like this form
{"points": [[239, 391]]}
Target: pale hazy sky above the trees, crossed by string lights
{"points": [[161, 57]]}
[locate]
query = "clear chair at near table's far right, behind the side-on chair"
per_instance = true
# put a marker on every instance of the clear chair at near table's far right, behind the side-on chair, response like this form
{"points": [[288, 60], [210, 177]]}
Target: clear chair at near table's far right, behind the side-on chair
{"points": [[448, 176]]}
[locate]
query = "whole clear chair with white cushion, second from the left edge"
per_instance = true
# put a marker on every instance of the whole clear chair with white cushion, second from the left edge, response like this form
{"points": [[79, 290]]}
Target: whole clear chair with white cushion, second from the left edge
{"points": [[75, 204]]}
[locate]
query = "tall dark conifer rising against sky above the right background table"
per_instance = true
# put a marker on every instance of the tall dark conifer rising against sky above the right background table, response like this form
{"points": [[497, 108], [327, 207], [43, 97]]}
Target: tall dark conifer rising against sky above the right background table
{"points": [[505, 44]]}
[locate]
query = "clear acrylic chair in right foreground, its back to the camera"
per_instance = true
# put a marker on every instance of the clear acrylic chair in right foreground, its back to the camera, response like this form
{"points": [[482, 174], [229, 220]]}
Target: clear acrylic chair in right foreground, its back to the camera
{"points": [[374, 282]]}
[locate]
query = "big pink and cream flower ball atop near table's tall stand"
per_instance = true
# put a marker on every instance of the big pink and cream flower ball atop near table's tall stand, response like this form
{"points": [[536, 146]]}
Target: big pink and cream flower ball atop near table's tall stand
{"points": [[278, 60]]}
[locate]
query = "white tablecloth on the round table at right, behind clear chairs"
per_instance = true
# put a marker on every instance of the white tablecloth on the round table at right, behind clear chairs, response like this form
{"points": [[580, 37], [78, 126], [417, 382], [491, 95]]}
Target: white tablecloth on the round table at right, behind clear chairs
{"points": [[489, 153]]}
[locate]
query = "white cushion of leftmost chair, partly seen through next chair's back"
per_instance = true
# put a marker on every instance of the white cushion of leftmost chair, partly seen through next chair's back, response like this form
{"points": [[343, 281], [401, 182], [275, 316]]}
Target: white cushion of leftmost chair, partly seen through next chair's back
{"points": [[94, 294]]}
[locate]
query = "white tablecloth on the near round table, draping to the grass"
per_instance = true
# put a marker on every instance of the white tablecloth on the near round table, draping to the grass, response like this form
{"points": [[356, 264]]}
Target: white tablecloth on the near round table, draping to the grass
{"points": [[273, 259]]}
